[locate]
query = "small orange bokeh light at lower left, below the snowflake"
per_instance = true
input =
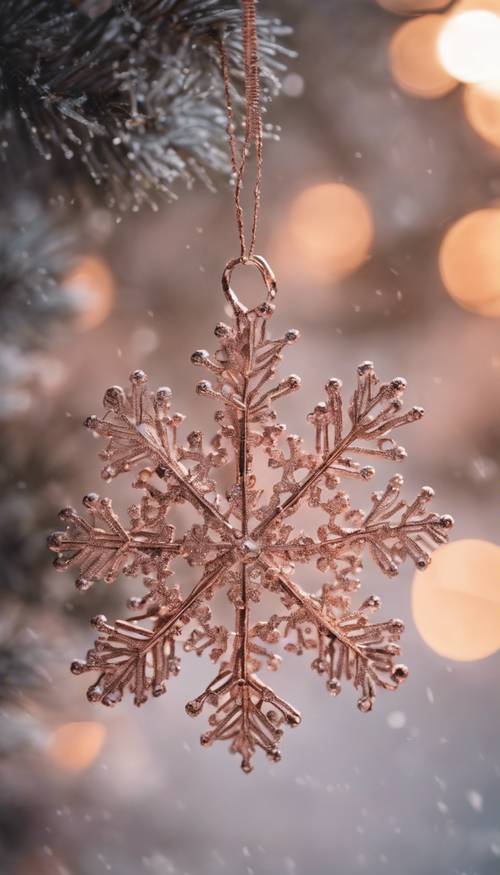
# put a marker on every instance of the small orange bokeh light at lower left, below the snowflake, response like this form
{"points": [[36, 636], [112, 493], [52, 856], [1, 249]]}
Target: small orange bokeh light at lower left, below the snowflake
{"points": [[74, 746]]}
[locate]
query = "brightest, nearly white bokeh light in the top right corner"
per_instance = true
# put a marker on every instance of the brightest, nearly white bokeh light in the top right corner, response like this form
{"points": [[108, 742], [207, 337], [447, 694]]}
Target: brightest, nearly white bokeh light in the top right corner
{"points": [[469, 45]]}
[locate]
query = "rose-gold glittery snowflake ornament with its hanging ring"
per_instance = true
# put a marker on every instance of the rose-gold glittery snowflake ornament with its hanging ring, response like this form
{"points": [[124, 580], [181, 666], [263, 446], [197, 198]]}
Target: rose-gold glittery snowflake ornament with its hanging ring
{"points": [[245, 541]]}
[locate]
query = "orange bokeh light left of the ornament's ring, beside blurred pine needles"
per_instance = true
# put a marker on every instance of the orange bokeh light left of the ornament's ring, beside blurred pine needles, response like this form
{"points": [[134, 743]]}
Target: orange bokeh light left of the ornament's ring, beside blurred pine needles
{"points": [[91, 285]]}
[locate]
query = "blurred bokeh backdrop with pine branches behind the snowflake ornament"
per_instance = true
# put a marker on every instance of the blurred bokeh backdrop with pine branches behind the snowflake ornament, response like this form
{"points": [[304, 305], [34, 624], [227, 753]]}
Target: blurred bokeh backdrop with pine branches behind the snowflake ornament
{"points": [[381, 219]]}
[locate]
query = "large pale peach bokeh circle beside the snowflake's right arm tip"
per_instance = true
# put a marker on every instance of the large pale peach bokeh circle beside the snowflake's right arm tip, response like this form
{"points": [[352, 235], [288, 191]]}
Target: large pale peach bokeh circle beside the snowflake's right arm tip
{"points": [[456, 600]]}
